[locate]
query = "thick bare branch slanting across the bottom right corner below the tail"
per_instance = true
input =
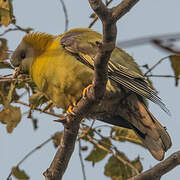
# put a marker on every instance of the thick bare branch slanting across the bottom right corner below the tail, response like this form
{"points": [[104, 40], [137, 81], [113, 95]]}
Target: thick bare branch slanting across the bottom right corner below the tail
{"points": [[160, 169]]}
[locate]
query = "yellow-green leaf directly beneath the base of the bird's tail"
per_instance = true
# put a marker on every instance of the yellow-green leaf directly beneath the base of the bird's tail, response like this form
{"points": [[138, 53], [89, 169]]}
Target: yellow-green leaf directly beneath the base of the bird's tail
{"points": [[124, 134]]}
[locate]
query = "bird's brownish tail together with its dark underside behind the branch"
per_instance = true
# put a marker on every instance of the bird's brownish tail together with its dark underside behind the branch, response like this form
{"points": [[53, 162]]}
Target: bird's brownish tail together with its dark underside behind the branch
{"points": [[131, 112]]}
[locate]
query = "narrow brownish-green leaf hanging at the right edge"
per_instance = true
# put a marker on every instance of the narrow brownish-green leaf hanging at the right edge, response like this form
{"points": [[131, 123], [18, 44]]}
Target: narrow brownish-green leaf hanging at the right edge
{"points": [[175, 63]]}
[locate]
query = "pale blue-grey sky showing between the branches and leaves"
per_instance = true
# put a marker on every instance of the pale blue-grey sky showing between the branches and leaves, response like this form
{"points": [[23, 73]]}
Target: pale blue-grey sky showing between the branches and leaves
{"points": [[146, 18]]}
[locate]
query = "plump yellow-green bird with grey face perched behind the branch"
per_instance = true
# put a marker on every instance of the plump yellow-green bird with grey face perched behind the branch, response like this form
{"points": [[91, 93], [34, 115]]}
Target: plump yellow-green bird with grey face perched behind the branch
{"points": [[62, 66]]}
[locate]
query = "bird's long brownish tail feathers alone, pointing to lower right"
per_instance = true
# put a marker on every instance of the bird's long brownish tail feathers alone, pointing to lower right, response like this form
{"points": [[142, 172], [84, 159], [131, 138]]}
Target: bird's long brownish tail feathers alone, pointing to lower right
{"points": [[151, 132]]}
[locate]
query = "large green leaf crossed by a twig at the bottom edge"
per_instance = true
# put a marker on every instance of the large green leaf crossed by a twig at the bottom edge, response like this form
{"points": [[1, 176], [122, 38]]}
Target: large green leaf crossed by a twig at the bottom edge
{"points": [[117, 170]]}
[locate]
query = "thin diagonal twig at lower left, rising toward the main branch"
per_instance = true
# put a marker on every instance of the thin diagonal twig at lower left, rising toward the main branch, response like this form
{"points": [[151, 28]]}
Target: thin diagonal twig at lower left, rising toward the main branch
{"points": [[29, 154]]}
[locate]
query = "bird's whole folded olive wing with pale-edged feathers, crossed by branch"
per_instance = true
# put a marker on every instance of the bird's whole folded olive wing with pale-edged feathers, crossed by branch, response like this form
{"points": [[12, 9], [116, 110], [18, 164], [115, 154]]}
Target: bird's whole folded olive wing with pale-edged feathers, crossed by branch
{"points": [[122, 69]]}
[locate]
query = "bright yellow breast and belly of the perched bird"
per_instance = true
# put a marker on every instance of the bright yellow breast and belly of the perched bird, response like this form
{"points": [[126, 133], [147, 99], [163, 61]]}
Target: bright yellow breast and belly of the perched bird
{"points": [[60, 75]]}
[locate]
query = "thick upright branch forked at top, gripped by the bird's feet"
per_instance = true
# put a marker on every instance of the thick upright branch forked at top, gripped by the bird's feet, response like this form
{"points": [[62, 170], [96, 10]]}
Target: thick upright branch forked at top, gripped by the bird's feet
{"points": [[93, 95]]}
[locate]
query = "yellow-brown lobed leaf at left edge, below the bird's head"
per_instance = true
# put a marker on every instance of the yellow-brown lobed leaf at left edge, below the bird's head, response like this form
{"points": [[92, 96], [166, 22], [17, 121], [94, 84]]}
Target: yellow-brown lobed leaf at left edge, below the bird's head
{"points": [[10, 116]]}
